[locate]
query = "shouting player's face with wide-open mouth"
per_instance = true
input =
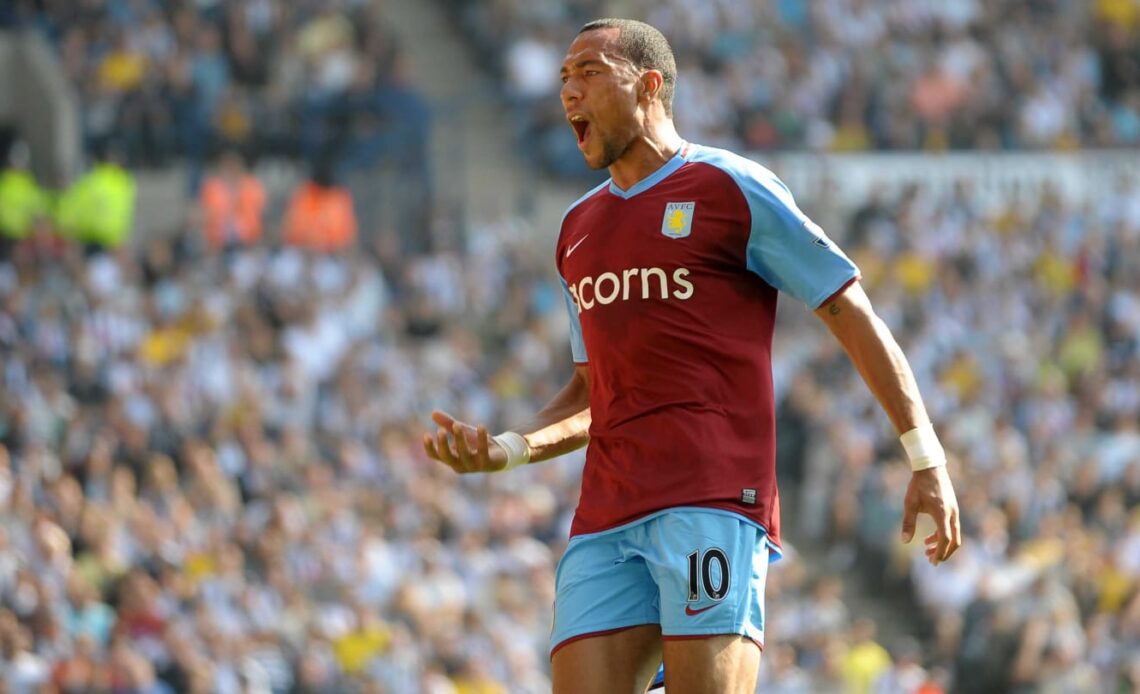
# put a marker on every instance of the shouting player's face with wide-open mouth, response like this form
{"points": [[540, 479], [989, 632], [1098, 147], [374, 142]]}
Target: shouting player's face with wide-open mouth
{"points": [[600, 93]]}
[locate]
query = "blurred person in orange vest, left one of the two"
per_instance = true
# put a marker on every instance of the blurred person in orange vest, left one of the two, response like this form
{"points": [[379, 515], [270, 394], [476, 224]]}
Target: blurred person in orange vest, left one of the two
{"points": [[233, 205]]}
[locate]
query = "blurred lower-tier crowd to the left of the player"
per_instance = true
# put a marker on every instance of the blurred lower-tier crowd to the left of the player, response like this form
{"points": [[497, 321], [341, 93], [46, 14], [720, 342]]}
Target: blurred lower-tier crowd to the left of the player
{"points": [[211, 478]]}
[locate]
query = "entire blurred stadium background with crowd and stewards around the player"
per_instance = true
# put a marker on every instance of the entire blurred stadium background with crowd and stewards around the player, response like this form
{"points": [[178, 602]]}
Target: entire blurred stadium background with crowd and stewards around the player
{"points": [[210, 471]]}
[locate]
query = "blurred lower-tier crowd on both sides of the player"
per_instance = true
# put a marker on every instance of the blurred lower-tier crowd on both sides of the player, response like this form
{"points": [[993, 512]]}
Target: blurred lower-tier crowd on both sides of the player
{"points": [[211, 470]]}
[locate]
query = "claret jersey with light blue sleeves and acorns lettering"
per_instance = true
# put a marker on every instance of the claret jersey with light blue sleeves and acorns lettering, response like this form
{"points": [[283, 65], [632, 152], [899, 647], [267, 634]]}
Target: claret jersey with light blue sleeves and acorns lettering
{"points": [[672, 289]]}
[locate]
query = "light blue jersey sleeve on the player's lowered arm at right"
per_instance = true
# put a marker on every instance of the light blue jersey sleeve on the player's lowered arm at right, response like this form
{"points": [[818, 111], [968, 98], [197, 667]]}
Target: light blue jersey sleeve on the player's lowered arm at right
{"points": [[786, 248]]}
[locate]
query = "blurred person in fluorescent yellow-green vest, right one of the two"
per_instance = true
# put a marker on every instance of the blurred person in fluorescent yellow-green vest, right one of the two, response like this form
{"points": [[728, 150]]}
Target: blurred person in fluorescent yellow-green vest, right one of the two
{"points": [[99, 209]]}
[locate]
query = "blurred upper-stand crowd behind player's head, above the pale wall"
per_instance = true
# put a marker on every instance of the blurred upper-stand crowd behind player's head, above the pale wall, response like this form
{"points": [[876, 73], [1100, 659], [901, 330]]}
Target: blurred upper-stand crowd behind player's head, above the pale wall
{"points": [[852, 75]]}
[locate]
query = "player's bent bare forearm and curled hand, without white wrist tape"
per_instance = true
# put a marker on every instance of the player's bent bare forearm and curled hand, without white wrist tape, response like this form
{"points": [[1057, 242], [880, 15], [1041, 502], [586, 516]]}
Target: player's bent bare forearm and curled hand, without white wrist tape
{"points": [[558, 429]]}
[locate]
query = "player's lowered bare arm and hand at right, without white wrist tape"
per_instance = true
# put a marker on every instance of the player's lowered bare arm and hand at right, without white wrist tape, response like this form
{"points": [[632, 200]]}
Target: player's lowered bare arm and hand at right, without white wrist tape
{"points": [[880, 360]]}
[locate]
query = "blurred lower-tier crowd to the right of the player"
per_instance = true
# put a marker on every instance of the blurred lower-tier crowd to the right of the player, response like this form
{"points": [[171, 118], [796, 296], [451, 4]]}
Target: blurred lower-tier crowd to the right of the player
{"points": [[1023, 323]]}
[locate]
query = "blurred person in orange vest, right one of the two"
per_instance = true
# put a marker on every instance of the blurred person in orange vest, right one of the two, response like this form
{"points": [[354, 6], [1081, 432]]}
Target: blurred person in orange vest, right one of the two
{"points": [[321, 215]]}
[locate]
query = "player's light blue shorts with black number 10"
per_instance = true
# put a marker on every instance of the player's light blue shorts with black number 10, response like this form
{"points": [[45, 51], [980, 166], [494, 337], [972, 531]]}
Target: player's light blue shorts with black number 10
{"points": [[694, 571]]}
